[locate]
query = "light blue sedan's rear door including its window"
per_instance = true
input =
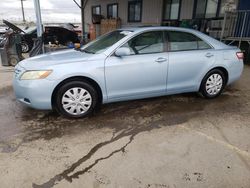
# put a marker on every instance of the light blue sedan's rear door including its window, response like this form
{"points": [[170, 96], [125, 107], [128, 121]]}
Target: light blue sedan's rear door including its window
{"points": [[189, 58]]}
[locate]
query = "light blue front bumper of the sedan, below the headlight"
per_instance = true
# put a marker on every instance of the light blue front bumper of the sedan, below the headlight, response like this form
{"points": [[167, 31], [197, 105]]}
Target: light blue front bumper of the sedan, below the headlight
{"points": [[34, 93]]}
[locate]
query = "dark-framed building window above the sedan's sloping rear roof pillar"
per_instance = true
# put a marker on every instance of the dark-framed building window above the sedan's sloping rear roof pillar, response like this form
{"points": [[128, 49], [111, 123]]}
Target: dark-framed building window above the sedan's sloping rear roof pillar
{"points": [[206, 8]]}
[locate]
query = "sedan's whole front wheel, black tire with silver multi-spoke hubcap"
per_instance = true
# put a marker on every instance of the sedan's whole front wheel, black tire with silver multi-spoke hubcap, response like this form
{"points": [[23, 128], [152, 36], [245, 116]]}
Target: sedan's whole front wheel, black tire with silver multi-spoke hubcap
{"points": [[76, 99]]}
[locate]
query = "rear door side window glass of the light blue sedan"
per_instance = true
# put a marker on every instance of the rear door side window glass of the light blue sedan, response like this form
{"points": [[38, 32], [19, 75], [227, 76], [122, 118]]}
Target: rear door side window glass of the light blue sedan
{"points": [[181, 41]]}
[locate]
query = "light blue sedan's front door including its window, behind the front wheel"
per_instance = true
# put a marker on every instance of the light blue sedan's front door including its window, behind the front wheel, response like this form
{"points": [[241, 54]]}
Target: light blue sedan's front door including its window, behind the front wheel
{"points": [[143, 73]]}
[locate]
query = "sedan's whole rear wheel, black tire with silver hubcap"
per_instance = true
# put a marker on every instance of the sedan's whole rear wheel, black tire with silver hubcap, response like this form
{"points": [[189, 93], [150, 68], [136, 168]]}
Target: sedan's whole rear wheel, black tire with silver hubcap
{"points": [[213, 84]]}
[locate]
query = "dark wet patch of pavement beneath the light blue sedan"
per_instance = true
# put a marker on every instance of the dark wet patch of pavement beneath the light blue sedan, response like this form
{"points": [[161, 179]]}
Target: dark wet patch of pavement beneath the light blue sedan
{"points": [[20, 121]]}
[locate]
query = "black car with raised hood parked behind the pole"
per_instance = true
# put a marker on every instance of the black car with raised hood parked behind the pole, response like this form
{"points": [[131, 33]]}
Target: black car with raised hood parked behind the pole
{"points": [[53, 34]]}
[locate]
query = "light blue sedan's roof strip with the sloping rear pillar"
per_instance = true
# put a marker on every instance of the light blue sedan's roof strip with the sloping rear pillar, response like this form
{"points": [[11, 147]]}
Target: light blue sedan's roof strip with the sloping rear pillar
{"points": [[213, 42]]}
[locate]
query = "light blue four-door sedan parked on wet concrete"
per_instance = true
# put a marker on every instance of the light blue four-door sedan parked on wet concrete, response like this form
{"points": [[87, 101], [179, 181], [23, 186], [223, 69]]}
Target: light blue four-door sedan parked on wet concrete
{"points": [[127, 64]]}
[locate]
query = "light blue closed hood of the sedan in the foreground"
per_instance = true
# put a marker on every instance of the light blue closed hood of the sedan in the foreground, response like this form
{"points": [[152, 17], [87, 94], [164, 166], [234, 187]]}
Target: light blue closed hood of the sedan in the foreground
{"points": [[55, 58]]}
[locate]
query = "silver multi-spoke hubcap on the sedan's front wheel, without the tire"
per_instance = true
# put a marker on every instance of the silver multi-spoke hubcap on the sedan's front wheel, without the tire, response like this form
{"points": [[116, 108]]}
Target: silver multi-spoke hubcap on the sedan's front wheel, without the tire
{"points": [[76, 101]]}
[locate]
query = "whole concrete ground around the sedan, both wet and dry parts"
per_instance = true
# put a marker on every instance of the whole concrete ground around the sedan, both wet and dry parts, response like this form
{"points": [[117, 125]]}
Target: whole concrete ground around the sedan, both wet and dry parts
{"points": [[173, 141]]}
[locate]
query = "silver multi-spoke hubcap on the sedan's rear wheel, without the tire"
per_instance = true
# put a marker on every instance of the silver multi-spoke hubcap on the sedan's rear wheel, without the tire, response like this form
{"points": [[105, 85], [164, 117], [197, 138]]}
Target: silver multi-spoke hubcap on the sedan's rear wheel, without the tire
{"points": [[214, 84]]}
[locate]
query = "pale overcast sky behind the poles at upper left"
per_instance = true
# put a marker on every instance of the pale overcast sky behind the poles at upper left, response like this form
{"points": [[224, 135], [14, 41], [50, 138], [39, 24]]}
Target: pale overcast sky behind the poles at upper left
{"points": [[53, 11]]}
